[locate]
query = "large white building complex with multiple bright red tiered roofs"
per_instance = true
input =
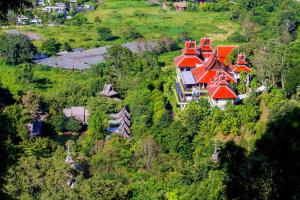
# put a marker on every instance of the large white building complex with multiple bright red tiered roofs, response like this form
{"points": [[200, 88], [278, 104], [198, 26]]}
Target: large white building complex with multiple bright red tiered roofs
{"points": [[203, 71]]}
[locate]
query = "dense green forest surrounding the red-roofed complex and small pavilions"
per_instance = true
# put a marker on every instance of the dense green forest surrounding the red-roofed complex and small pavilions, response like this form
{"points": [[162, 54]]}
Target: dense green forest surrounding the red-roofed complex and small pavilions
{"points": [[169, 155]]}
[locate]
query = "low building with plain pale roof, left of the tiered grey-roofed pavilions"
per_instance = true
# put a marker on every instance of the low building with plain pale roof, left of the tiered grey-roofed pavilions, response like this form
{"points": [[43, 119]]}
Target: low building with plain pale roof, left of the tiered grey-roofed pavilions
{"points": [[78, 112]]}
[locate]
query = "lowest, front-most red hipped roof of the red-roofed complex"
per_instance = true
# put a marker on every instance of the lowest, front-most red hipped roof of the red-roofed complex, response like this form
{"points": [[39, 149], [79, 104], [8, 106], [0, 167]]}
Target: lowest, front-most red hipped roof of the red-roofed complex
{"points": [[221, 90]]}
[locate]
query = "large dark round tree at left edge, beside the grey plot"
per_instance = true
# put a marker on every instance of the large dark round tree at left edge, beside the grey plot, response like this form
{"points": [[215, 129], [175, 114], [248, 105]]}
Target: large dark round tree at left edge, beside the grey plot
{"points": [[16, 48]]}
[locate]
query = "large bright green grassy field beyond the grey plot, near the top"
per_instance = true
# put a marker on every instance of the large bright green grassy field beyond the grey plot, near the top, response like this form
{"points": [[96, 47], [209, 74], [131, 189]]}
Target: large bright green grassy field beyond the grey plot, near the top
{"points": [[151, 21]]}
